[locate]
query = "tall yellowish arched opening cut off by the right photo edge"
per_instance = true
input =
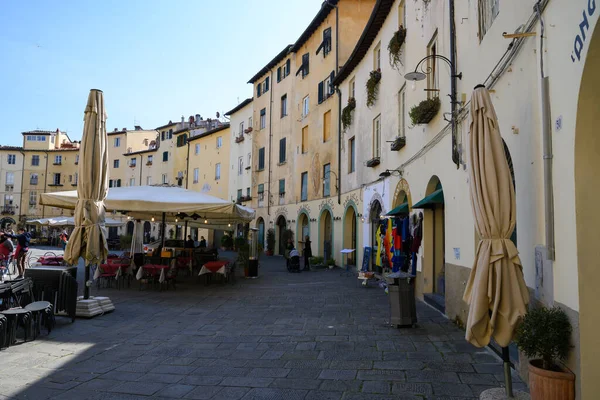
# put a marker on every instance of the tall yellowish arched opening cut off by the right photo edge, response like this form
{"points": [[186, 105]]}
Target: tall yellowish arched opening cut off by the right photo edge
{"points": [[587, 168]]}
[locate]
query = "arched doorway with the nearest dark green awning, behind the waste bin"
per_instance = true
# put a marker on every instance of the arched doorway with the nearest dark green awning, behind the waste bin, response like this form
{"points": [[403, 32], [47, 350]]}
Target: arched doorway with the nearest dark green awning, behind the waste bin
{"points": [[434, 242]]}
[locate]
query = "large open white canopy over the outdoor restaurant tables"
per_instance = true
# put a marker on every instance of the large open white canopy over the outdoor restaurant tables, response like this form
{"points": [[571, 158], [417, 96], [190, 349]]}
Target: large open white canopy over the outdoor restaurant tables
{"points": [[147, 202]]}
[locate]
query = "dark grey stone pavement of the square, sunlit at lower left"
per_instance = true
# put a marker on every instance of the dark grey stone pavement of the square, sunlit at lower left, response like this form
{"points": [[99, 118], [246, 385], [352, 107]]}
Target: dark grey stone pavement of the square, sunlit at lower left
{"points": [[313, 335]]}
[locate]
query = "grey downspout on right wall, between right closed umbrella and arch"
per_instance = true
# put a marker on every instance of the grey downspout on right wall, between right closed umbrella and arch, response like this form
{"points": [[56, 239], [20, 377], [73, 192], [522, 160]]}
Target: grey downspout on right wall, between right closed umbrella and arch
{"points": [[547, 146]]}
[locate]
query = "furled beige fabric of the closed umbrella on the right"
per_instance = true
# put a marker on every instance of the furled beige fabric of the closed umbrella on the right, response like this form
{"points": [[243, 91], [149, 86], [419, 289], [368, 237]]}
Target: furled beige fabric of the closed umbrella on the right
{"points": [[496, 290]]}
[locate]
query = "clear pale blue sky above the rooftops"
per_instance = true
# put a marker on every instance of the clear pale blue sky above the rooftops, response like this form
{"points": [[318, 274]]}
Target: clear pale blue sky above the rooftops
{"points": [[155, 60]]}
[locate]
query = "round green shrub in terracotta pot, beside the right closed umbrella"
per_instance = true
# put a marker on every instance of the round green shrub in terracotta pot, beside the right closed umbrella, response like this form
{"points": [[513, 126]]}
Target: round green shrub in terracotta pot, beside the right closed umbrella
{"points": [[544, 336]]}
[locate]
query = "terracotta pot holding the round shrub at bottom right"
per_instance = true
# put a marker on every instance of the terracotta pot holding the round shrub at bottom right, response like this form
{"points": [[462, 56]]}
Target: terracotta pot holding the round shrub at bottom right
{"points": [[550, 385]]}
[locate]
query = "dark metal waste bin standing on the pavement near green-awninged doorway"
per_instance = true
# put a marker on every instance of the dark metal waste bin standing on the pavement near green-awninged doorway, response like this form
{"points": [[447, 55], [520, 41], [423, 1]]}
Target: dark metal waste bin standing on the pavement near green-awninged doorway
{"points": [[401, 289]]}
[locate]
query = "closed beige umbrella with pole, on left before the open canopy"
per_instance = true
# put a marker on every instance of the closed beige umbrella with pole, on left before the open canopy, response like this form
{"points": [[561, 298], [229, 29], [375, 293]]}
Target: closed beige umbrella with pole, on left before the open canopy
{"points": [[88, 239]]}
